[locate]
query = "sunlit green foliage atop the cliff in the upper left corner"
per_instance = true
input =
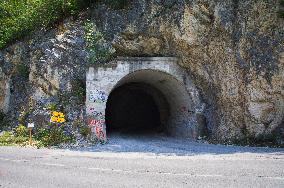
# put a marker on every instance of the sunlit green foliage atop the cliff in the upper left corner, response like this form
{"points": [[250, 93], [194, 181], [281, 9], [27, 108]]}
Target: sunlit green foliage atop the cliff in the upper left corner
{"points": [[19, 18]]}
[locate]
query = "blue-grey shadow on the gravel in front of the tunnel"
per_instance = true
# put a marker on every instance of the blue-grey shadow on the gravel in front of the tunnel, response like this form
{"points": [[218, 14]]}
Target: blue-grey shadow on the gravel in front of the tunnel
{"points": [[160, 144]]}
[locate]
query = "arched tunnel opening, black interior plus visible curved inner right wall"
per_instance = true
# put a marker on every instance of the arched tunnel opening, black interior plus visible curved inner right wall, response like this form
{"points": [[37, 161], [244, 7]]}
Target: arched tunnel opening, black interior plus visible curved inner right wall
{"points": [[149, 101]]}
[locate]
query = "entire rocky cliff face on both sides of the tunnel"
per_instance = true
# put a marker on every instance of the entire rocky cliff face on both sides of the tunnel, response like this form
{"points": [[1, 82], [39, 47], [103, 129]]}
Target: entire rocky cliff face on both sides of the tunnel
{"points": [[232, 49]]}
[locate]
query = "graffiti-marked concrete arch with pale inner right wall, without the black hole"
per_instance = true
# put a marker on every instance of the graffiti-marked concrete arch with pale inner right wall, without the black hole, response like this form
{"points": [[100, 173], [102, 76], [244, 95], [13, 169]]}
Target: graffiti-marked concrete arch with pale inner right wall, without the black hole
{"points": [[170, 86]]}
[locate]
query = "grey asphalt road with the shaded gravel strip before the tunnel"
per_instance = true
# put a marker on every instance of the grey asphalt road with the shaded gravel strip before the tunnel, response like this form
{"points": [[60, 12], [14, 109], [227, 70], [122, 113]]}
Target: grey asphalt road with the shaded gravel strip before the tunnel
{"points": [[106, 166]]}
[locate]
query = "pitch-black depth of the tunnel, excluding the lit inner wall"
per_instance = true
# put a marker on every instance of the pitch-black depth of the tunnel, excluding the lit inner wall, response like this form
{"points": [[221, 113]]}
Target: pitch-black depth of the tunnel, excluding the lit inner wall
{"points": [[132, 109]]}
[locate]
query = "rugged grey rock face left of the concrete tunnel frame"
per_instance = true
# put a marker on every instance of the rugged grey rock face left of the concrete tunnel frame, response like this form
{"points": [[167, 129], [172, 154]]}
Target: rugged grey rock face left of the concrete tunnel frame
{"points": [[39, 72]]}
